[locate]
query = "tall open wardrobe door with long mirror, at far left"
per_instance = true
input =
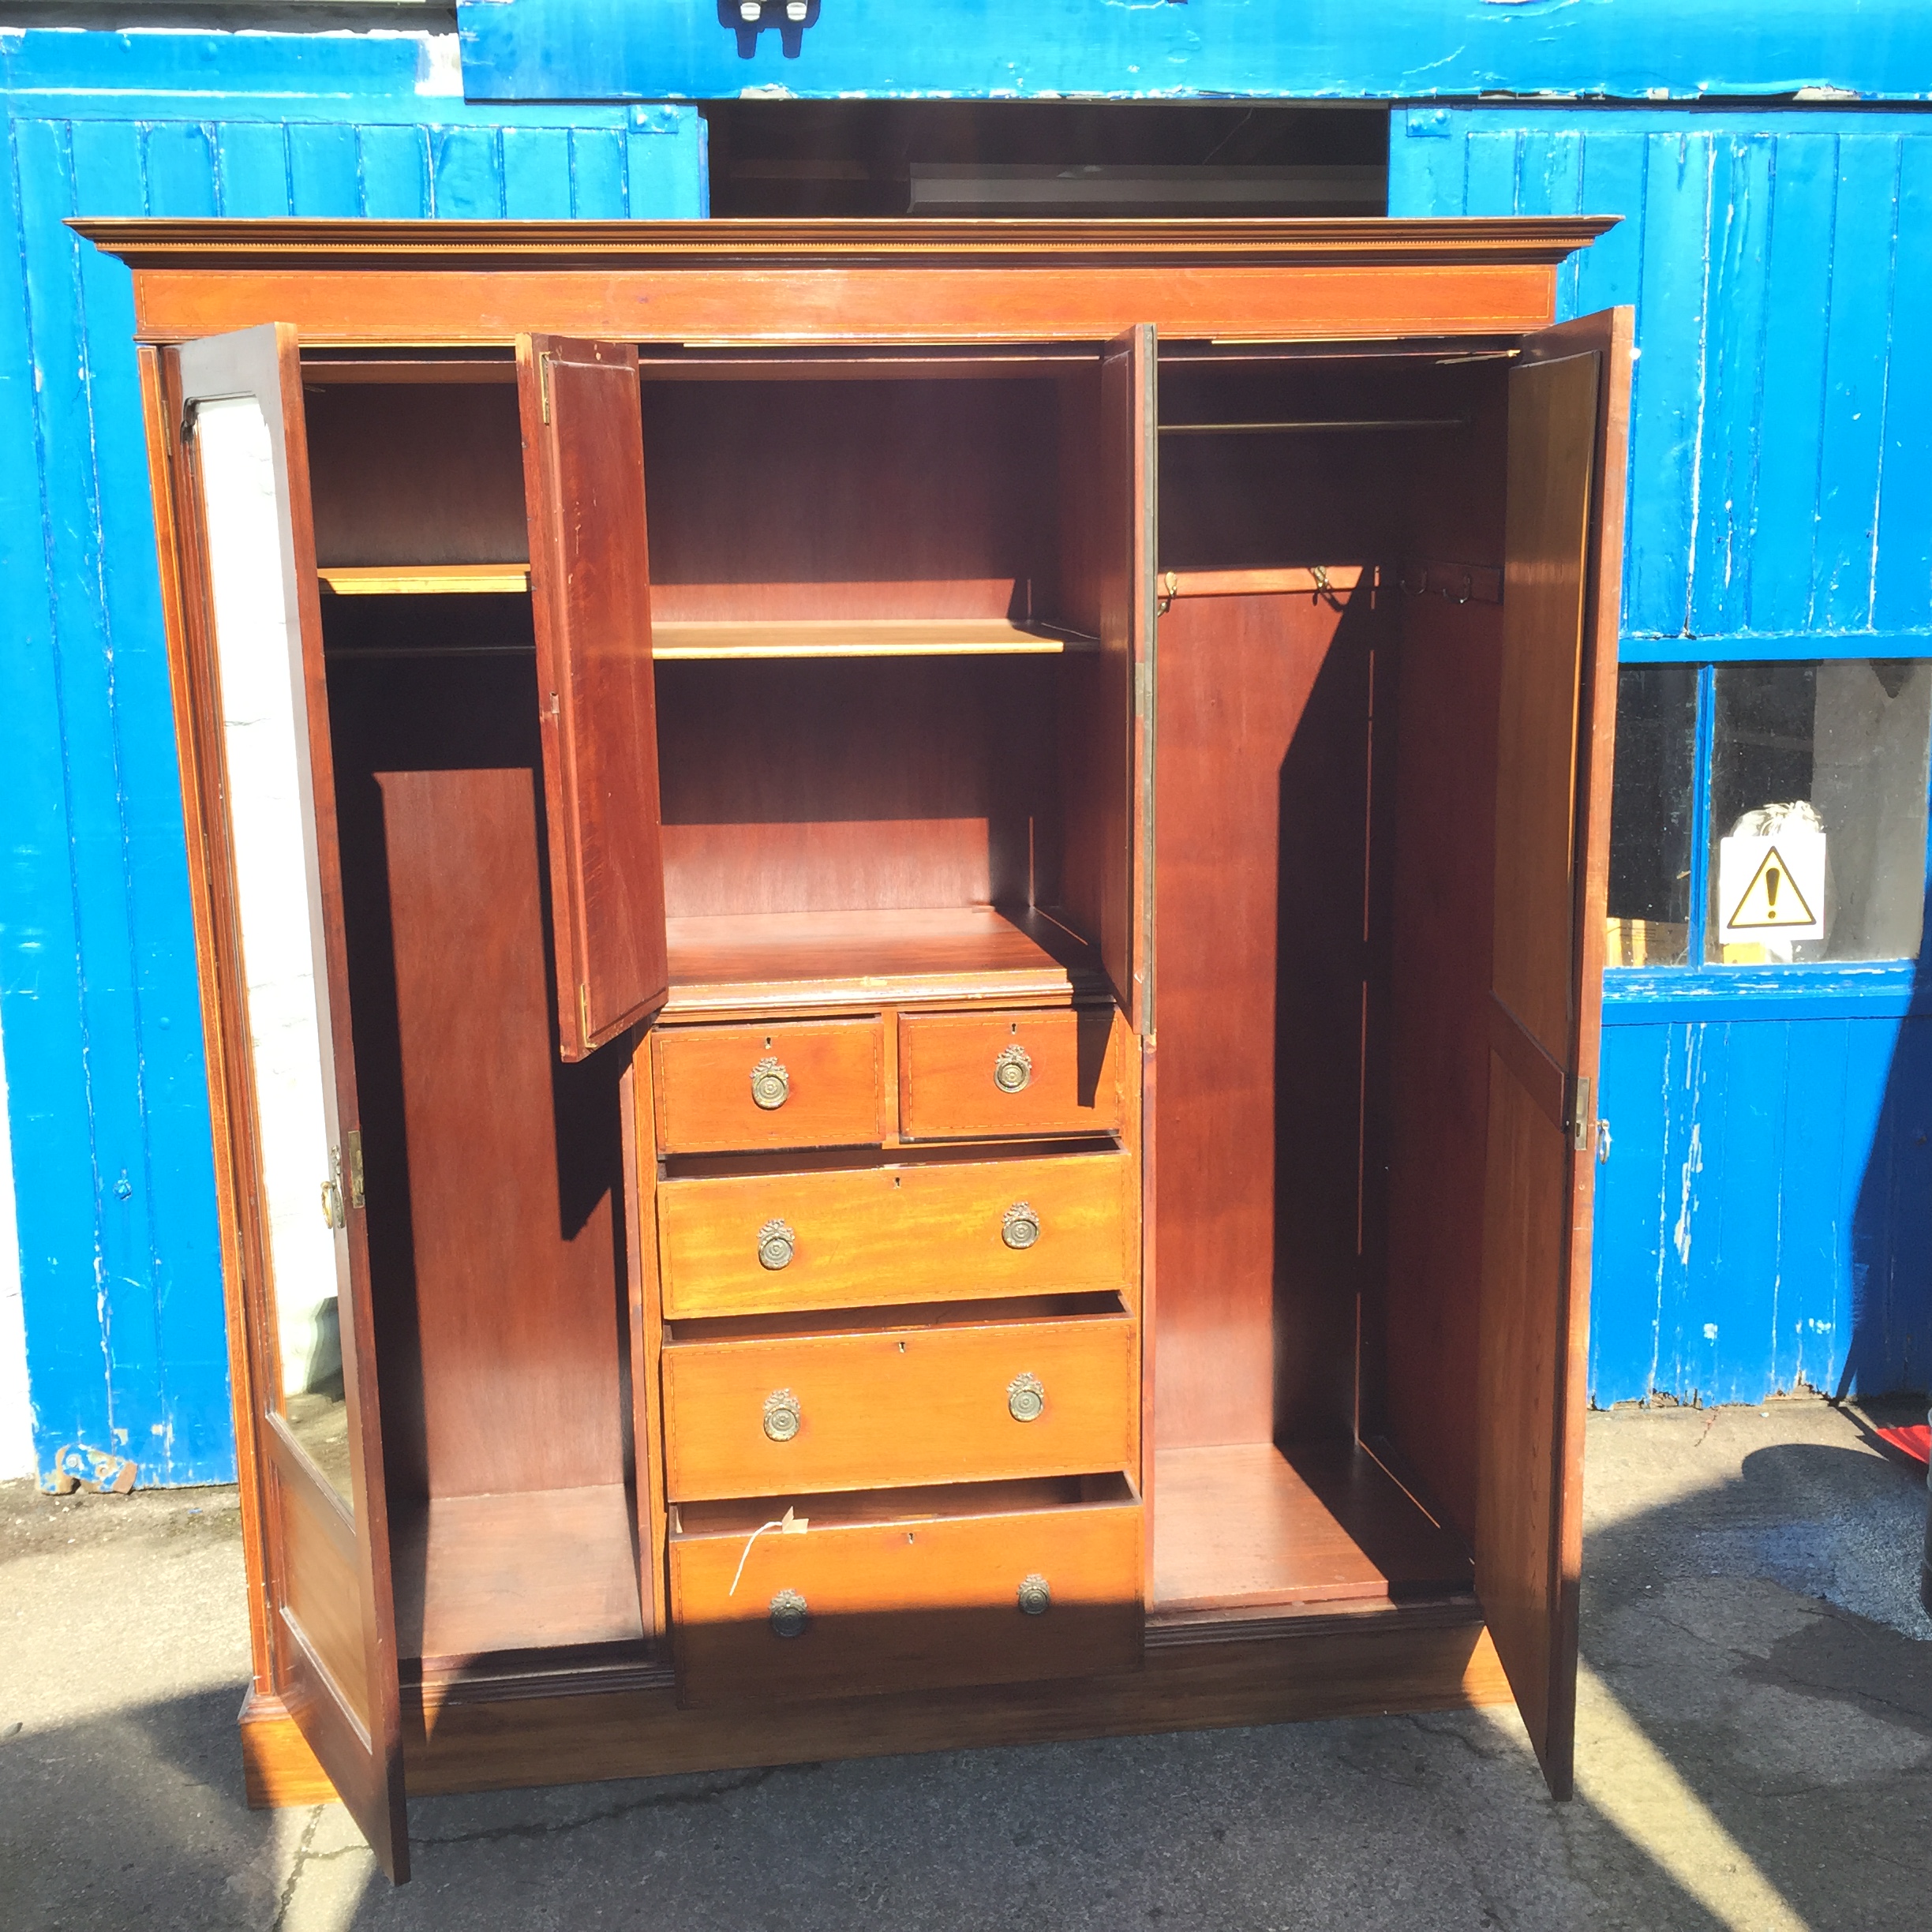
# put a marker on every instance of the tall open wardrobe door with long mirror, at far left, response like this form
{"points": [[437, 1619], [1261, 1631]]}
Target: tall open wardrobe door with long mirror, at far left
{"points": [[281, 1062]]}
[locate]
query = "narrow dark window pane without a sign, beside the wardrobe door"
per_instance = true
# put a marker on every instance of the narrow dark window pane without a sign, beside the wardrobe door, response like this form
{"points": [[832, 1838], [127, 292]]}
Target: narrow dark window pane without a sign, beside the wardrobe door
{"points": [[1651, 816]]}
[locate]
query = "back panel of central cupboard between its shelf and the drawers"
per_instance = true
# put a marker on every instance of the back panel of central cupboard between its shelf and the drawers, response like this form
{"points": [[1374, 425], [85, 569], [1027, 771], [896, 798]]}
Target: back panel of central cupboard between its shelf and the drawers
{"points": [[861, 785]]}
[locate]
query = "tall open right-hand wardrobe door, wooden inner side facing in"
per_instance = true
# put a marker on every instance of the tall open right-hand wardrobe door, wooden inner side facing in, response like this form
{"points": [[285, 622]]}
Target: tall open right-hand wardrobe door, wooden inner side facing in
{"points": [[1562, 582]]}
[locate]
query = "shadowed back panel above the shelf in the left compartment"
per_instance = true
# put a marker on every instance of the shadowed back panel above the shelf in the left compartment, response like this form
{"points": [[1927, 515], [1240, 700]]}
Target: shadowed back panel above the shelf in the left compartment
{"points": [[405, 474]]}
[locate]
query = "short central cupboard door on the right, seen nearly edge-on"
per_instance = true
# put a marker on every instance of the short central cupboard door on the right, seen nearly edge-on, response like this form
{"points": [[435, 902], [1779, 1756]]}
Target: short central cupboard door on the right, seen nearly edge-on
{"points": [[1129, 463]]}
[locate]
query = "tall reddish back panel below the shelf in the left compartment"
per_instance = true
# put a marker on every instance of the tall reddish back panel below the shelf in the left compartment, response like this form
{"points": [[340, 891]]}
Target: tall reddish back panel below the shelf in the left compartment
{"points": [[494, 1170]]}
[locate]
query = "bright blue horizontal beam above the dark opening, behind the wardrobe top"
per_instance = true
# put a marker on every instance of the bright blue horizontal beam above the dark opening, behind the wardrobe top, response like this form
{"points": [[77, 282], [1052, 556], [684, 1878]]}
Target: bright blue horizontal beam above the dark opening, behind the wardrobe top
{"points": [[1143, 49]]}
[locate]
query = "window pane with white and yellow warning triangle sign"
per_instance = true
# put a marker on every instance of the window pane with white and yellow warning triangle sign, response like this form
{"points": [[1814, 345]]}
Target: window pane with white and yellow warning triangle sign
{"points": [[1819, 810]]}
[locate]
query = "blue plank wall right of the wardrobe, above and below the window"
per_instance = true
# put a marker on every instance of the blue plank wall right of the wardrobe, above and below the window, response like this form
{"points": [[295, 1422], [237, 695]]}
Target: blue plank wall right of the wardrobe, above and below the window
{"points": [[1765, 1218]]}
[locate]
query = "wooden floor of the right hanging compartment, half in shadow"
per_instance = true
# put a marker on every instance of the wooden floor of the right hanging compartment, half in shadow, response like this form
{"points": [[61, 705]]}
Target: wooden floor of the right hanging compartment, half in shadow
{"points": [[1249, 1525]]}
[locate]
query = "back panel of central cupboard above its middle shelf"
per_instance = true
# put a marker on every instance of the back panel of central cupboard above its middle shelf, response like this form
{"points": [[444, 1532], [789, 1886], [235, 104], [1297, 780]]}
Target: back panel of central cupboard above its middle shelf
{"points": [[851, 499]]}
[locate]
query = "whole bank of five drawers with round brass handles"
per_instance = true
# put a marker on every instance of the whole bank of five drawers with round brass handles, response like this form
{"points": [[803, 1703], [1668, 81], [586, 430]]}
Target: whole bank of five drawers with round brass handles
{"points": [[899, 1375]]}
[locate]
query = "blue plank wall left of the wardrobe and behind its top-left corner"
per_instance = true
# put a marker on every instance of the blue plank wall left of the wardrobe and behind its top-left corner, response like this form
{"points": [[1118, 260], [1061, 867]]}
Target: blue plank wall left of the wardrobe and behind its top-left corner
{"points": [[121, 1261]]}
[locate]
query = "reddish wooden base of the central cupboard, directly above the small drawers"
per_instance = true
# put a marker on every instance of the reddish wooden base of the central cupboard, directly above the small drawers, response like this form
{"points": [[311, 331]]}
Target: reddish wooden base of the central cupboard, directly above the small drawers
{"points": [[865, 959]]}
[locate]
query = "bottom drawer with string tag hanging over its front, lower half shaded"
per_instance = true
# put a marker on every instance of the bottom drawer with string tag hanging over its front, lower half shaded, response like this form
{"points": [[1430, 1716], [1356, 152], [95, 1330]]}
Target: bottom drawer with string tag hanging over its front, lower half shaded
{"points": [[928, 1593]]}
